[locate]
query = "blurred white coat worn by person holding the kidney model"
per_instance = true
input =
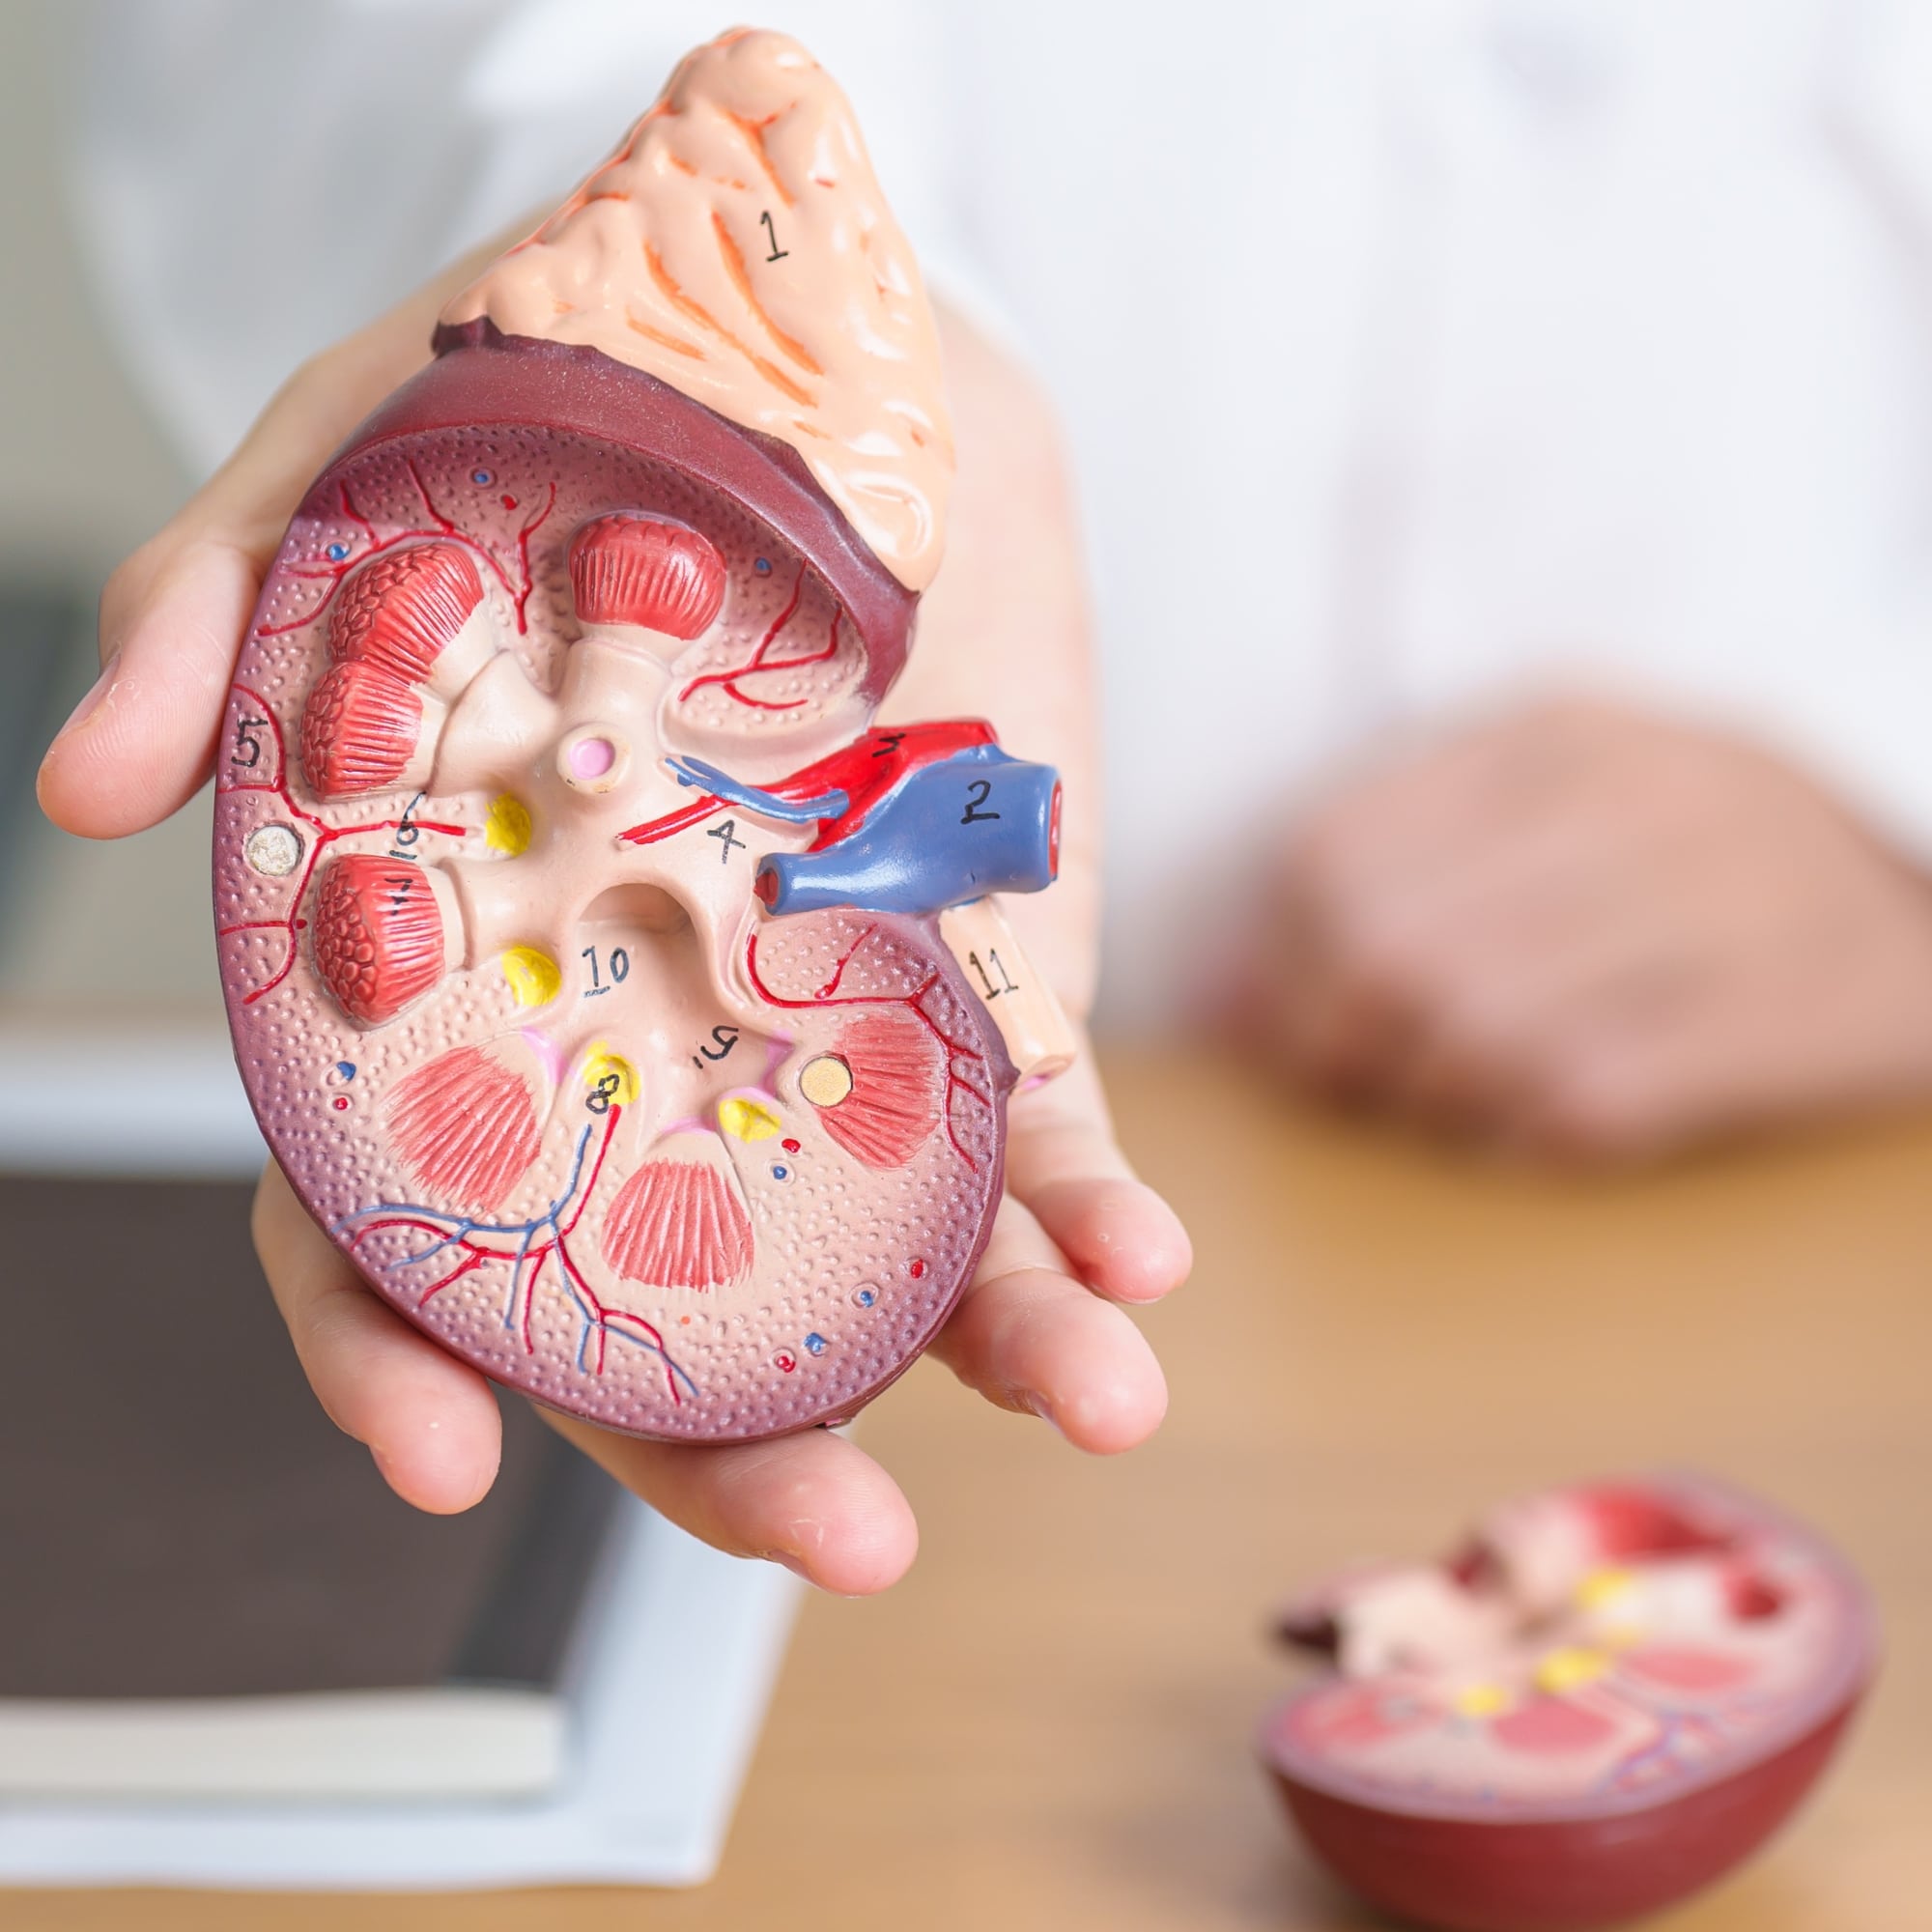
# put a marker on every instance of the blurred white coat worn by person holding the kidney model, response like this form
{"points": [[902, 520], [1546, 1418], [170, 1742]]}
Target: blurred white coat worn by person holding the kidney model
{"points": [[1411, 351]]}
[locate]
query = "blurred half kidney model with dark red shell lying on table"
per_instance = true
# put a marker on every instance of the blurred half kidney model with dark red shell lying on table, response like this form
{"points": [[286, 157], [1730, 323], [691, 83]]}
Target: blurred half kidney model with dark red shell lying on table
{"points": [[1608, 1697]]}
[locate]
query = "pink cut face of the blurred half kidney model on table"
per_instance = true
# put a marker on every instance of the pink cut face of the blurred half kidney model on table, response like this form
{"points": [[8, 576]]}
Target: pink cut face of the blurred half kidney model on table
{"points": [[1583, 1666]]}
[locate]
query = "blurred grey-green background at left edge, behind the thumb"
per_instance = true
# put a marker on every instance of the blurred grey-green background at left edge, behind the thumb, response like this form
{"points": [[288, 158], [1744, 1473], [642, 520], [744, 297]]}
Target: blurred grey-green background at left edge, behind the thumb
{"points": [[88, 476]]}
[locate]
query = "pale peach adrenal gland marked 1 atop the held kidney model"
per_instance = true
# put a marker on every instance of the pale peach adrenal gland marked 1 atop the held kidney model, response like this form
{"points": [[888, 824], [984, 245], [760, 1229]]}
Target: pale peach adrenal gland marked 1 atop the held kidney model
{"points": [[739, 248]]}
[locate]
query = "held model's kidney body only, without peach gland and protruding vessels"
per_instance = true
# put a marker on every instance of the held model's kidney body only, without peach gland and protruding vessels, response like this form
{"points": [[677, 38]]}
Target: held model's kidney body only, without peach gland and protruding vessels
{"points": [[503, 994]]}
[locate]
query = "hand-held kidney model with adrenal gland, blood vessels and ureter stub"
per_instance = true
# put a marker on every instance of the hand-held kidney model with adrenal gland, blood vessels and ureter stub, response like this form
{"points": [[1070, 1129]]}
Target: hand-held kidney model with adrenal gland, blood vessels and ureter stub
{"points": [[625, 1002]]}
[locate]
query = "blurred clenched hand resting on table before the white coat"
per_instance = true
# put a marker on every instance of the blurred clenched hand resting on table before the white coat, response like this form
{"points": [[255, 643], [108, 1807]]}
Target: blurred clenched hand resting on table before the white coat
{"points": [[1595, 934]]}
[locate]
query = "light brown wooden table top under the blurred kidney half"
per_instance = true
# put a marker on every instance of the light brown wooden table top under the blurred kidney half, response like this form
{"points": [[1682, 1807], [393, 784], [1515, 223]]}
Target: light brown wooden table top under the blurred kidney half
{"points": [[1050, 1722]]}
